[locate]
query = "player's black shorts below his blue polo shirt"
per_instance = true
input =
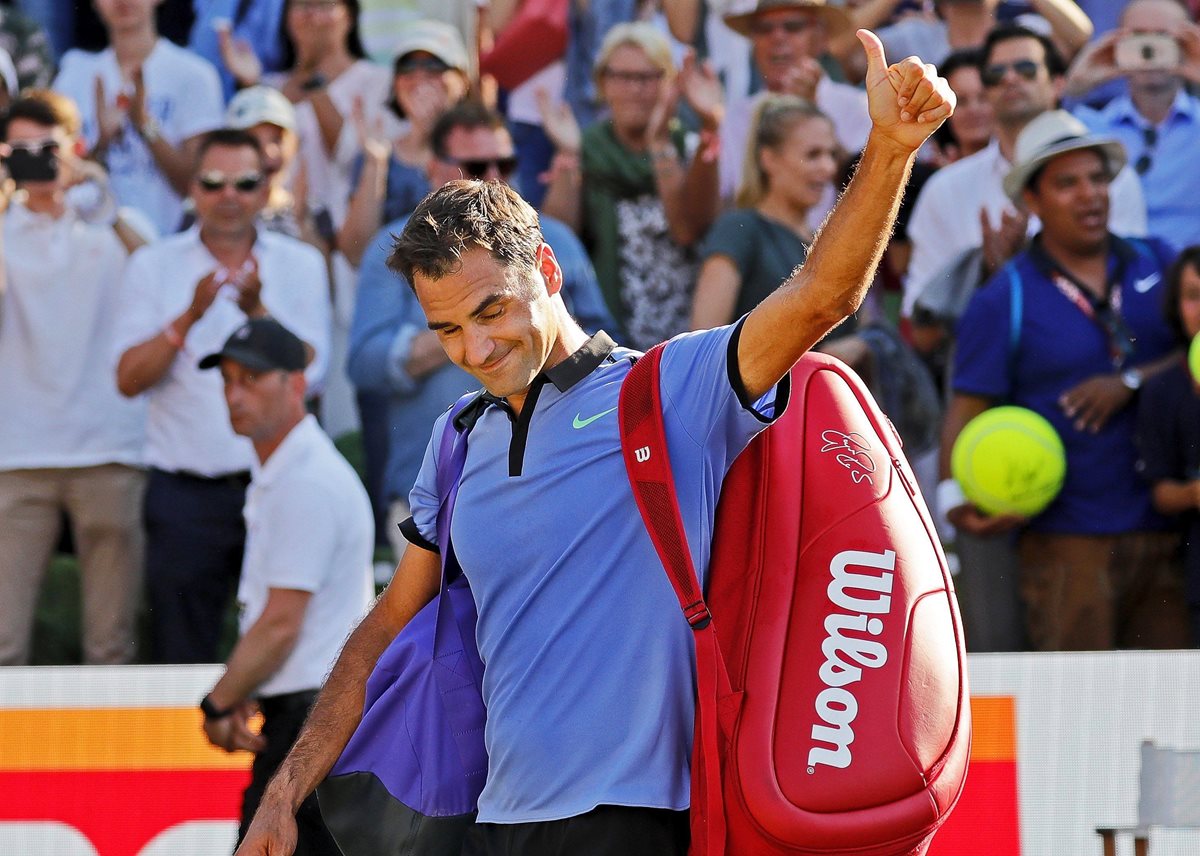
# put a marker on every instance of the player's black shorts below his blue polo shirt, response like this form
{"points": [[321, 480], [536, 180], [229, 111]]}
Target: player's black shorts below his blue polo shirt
{"points": [[604, 831]]}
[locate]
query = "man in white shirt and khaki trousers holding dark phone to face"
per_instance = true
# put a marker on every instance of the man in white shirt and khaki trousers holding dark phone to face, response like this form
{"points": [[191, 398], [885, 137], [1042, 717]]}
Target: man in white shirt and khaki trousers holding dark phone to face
{"points": [[69, 442]]}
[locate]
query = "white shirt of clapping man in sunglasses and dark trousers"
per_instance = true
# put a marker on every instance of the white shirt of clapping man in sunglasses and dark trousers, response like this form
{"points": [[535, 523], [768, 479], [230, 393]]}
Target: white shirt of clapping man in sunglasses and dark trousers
{"points": [[189, 424]]}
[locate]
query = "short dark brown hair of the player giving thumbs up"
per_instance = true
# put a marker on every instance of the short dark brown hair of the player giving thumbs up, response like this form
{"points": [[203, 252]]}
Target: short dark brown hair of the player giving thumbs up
{"points": [[463, 216]]}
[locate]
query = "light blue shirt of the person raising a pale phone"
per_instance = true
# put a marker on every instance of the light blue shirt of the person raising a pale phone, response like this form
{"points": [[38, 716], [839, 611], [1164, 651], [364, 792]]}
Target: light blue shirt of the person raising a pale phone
{"points": [[1172, 181]]}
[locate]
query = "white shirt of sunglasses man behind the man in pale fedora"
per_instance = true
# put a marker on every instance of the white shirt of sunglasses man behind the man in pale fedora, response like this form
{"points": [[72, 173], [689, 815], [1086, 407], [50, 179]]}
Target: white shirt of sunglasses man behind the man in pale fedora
{"points": [[945, 220]]}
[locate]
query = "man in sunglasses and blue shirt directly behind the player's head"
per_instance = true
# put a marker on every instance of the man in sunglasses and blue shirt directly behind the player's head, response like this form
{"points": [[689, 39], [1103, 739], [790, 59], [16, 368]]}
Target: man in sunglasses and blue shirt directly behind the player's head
{"points": [[392, 350]]}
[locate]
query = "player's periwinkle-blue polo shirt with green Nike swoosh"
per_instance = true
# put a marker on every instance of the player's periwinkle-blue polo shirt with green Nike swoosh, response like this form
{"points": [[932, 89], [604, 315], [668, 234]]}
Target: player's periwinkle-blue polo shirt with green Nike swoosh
{"points": [[589, 662]]}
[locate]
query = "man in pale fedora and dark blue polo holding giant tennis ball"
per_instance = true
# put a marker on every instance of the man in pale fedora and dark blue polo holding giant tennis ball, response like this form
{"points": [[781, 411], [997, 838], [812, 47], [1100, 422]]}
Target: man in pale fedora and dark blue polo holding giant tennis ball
{"points": [[1096, 565]]}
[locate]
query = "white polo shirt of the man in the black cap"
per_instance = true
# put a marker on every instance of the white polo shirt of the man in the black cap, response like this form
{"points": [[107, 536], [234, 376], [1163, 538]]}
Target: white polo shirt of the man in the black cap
{"points": [[309, 528]]}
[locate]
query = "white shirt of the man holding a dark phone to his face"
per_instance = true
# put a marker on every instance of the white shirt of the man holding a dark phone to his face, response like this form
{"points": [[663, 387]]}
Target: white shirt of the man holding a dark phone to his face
{"points": [[58, 376]]}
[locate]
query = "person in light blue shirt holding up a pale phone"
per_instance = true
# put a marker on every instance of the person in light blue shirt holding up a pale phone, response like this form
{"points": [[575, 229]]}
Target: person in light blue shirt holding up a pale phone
{"points": [[1156, 50]]}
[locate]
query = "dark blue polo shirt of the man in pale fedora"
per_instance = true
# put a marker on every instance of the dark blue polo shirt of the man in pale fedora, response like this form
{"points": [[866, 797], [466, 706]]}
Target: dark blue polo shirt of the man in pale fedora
{"points": [[1058, 349]]}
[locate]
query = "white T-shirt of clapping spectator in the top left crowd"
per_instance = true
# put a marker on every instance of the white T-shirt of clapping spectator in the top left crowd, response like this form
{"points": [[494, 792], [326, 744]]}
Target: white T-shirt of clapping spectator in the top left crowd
{"points": [[183, 95]]}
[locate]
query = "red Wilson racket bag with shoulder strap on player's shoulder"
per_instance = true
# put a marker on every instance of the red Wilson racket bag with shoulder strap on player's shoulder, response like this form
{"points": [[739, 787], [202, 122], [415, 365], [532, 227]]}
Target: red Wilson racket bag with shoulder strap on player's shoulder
{"points": [[832, 689]]}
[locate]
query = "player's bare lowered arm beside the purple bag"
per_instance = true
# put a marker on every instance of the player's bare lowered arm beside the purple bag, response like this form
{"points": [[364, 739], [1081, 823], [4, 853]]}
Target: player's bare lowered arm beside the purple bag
{"points": [[339, 708]]}
